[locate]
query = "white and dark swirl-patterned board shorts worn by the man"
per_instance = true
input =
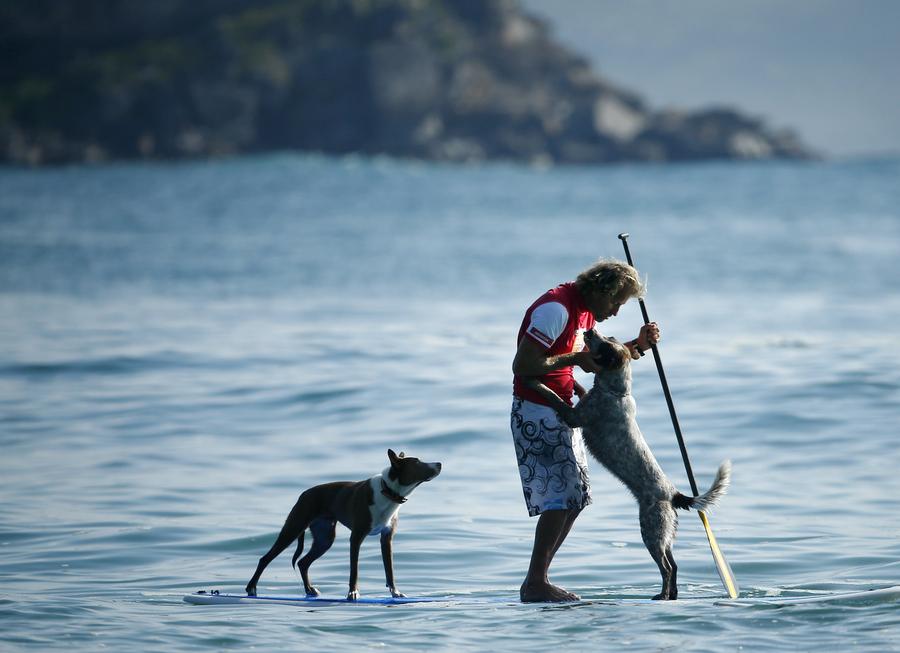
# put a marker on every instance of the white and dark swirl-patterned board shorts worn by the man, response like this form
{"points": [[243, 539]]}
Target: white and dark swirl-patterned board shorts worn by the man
{"points": [[552, 459]]}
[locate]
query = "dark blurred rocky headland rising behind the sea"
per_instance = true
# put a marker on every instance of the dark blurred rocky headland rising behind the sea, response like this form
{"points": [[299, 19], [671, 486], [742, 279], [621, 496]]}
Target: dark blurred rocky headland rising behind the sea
{"points": [[456, 80]]}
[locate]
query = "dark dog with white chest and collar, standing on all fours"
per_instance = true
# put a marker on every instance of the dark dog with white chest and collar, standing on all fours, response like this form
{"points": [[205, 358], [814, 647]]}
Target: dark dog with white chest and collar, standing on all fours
{"points": [[366, 507]]}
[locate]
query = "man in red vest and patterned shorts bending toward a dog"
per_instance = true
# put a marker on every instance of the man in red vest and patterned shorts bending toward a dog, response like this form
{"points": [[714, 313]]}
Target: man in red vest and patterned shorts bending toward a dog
{"points": [[551, 455]]}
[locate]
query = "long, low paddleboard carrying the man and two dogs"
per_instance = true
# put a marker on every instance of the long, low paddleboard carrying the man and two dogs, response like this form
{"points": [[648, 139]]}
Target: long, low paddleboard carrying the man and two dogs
{"points": [[214, 597]]}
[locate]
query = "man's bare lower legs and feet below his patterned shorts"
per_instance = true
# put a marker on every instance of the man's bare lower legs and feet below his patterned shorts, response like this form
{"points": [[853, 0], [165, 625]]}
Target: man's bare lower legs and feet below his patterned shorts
{"points": [[552, 528]]}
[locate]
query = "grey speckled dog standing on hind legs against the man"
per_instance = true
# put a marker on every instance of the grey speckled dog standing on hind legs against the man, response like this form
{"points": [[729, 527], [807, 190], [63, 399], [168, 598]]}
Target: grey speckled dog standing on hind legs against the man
{"points": [[606, 415]]}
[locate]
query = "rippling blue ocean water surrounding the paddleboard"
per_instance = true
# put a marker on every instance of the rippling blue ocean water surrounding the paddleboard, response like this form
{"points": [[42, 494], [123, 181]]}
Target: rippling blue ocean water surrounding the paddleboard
{"points": [[185, 347]]}
